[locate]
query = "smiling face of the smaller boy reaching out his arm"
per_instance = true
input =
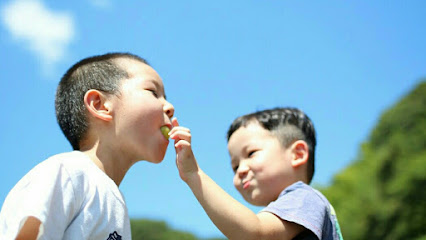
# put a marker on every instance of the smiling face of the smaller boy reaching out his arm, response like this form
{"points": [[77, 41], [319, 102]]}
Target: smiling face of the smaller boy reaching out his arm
{"points": [[262, 165]]}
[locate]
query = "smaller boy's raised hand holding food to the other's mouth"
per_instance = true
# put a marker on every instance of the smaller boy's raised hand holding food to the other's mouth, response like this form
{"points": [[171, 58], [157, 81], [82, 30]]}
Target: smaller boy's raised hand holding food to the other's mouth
{"points": [[185, 160]]}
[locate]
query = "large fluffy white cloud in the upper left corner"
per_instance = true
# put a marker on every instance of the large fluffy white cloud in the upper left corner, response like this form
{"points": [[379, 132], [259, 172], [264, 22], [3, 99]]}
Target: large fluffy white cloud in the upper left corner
{"points": [[45, 32]]}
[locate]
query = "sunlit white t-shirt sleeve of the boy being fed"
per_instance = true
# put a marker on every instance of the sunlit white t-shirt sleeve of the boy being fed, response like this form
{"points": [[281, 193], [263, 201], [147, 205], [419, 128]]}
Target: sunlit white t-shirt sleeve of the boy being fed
{"points": [[46, 193]]}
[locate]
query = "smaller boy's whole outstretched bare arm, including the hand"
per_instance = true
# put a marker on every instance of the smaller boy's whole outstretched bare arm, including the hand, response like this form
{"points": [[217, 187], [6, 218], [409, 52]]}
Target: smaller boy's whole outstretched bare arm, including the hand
{"points": [[232, 218]]}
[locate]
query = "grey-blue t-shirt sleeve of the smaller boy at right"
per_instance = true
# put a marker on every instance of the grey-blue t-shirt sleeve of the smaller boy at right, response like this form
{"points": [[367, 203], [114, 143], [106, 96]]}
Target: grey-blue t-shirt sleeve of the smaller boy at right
{"points": [[303, 207]]}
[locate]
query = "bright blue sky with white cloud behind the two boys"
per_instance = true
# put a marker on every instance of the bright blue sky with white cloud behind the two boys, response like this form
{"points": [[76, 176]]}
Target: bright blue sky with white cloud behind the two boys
{"points": [[342, 62]]}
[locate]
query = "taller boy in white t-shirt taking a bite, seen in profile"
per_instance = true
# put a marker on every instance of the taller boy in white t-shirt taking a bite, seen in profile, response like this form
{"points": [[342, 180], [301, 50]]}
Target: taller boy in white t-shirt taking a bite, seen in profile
{"points": [[111, 108]]}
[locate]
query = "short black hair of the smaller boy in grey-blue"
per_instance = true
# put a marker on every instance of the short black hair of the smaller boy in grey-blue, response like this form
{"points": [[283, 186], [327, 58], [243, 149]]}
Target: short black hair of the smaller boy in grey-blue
{"points": [[288, 124]]}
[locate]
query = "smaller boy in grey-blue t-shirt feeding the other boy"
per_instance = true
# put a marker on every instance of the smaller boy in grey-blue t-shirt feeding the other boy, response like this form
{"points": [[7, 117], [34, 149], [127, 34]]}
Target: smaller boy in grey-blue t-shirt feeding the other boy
{"points": [[272, 155]]}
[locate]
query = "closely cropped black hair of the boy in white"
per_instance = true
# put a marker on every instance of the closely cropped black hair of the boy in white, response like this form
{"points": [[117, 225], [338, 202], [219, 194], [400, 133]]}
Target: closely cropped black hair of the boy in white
{"points": [[99, 72]]}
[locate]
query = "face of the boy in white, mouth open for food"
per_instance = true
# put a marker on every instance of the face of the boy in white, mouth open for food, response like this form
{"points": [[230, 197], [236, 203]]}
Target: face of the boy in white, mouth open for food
{"points": [[140, 111]]}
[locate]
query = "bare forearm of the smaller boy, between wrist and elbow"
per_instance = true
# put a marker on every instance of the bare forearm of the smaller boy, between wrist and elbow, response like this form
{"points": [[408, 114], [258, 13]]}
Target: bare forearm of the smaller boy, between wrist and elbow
{"points": [[232, 218]]}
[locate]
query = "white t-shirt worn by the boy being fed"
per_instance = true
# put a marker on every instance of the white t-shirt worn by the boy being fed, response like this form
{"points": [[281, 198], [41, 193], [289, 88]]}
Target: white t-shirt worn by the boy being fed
{"points": [[73, 199]]}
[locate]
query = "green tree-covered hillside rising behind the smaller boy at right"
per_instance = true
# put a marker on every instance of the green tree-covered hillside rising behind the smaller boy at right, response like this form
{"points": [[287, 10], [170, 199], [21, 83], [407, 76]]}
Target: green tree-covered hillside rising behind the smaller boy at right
{"points": [[382, 194]]}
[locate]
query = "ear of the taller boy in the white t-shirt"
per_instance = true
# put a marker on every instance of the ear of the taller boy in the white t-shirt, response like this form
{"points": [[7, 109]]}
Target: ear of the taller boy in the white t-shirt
{"points": [[96, 103]]}
